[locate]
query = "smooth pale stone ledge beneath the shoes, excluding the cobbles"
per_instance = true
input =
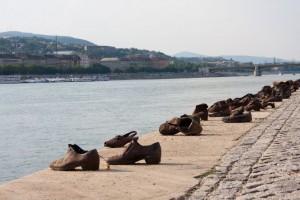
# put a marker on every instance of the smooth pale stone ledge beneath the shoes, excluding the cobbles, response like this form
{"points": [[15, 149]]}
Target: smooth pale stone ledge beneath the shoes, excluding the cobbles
{"points": [[185, 160]]}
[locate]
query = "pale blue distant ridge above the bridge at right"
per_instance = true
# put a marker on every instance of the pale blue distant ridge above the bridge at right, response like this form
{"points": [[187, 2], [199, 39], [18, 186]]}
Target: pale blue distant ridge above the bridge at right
{"points": [[253, 59]]}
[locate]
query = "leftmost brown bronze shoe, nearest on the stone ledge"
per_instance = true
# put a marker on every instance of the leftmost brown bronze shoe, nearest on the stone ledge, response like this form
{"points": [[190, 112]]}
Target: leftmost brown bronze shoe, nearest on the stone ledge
{"points": [[77, 157]]}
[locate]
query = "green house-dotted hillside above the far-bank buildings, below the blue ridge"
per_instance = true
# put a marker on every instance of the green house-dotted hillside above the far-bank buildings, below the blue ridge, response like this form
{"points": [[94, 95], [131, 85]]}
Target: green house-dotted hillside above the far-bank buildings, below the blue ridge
{"points": [[39, 46]]}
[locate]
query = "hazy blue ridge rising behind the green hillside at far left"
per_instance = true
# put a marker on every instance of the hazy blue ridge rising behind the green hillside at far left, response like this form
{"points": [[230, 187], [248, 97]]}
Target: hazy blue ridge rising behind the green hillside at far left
{"points": [[61, 39]]}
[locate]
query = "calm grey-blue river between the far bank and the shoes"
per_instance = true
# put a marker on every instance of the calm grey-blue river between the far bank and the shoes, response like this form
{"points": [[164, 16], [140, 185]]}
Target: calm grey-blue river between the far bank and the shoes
{"points": [[37, 121]]}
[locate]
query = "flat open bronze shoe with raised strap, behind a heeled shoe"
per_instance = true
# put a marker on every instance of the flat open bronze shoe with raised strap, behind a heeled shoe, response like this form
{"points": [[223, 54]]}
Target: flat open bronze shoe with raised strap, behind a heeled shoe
{"points": [[121, 140]]}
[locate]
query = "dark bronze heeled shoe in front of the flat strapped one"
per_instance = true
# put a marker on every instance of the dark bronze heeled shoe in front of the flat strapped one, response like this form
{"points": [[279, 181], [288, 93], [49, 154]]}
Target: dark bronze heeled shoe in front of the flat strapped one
{"points": [[136, 152]]}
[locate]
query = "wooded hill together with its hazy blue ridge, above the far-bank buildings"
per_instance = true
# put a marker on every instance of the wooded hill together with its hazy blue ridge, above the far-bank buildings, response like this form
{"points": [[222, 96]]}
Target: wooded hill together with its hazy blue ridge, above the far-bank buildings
{"points": [[29, 43]]}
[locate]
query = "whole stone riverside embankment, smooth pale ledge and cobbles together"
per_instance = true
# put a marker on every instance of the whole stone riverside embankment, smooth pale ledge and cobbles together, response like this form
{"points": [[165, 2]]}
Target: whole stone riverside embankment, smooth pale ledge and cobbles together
{"points": [[252, 160]]}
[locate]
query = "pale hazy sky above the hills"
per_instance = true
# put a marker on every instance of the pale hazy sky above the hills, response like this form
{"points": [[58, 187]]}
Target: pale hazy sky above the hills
{"points": [[210, 27]]}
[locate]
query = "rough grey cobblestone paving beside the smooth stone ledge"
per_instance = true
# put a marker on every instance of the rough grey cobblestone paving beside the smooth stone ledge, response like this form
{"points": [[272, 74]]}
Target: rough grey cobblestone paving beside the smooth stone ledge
{"points": [[265, 163]]}
